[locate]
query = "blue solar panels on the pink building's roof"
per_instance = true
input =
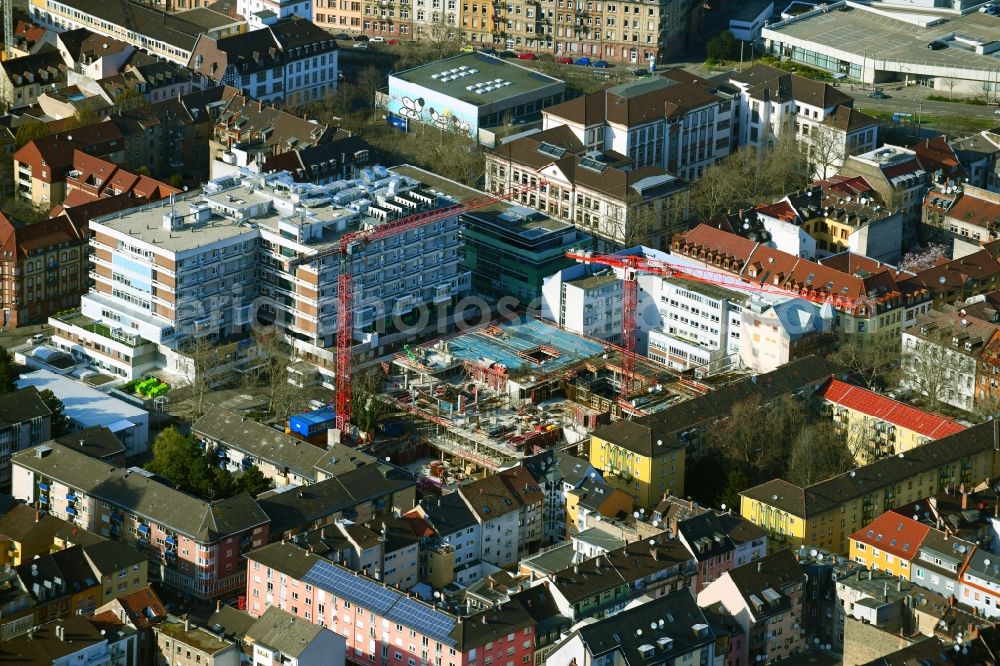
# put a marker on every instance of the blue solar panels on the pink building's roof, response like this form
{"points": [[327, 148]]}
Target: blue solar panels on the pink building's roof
{"points": [[387, 602]]}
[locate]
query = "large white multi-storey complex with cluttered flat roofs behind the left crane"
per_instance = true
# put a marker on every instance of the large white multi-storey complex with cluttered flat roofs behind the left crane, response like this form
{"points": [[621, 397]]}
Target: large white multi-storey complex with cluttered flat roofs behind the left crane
{"points": [[211, 263]]}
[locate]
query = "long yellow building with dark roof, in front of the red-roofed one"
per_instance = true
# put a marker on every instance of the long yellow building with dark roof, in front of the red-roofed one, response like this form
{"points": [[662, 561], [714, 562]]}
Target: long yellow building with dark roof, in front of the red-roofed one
{"points": [[825, 514]]}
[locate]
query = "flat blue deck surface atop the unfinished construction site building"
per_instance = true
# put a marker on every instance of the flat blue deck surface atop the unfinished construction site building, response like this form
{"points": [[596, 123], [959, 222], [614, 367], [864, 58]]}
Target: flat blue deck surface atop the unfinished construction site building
{"points": [[522, 336]]}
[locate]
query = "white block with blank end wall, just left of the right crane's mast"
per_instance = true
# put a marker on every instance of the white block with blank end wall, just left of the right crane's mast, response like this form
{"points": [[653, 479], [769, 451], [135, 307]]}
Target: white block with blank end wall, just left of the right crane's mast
{"points": [[585, 302]]}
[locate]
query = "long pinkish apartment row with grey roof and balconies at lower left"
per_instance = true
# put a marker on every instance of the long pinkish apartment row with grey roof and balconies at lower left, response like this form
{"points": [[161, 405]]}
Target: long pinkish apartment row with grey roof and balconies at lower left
{"points": [[193, 545]]}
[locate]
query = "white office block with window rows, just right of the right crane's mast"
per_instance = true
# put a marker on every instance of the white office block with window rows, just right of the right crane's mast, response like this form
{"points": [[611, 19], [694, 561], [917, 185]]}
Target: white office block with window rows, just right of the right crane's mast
{"points": [[700, 325]]}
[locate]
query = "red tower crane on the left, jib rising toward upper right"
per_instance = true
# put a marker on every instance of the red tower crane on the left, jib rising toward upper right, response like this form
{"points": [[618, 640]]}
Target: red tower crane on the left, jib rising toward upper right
{"points": [[345, 280]]}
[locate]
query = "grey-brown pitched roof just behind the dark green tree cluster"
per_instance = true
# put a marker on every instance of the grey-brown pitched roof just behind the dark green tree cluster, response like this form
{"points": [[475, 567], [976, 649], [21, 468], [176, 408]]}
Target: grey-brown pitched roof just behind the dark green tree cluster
{"points": [[234, 431]]}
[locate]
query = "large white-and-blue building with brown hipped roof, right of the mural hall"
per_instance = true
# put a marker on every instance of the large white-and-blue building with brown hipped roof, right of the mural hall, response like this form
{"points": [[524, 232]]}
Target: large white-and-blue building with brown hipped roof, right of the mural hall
{"points": [[674, 121]]}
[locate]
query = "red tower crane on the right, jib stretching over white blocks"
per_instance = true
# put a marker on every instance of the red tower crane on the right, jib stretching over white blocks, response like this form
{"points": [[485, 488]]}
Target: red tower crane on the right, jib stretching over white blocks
{"points": [[634, 264]]}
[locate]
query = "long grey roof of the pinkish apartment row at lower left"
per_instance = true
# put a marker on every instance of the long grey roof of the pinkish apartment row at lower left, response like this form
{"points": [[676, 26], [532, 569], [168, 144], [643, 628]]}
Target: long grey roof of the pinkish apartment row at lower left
{"points": [[188, 515]]}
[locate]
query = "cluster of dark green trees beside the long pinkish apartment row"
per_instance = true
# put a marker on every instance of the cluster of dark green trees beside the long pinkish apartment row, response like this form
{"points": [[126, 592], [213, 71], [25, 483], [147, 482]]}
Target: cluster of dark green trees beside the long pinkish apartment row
{"points": [[179, 459]]}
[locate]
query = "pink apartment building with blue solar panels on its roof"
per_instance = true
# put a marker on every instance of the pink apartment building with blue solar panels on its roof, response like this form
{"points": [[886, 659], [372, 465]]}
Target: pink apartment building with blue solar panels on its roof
{"points": [[383, 625]]}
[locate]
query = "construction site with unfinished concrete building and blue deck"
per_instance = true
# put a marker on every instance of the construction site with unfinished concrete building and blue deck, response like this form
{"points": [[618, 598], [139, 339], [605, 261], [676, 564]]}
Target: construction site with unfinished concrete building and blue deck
{"points": [[513, 388]]}
